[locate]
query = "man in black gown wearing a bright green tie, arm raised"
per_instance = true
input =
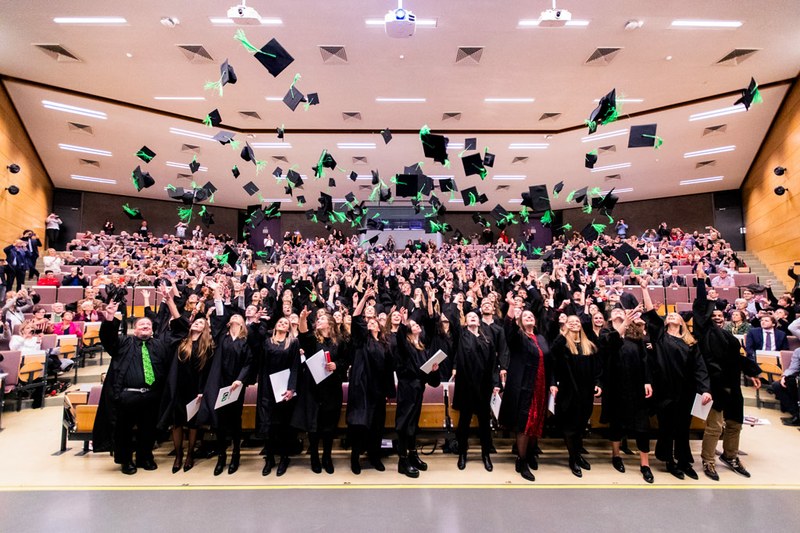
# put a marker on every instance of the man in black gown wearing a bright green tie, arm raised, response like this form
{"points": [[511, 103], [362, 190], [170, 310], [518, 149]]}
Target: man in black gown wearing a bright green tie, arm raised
{"points": [[131, 393]]}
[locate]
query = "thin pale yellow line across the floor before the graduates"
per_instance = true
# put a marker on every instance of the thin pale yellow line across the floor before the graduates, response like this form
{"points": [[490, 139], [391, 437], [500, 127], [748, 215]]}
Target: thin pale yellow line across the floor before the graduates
{"points": [[389, 486]]}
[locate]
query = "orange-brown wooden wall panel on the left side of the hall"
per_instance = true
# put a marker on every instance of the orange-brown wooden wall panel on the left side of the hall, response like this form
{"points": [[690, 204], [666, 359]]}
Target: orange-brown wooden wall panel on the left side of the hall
{"points": [[30, 207]]}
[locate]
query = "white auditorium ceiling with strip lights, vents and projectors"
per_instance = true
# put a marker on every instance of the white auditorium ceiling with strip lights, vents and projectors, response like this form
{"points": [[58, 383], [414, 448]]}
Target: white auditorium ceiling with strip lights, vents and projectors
{"points": [[545, 64]]}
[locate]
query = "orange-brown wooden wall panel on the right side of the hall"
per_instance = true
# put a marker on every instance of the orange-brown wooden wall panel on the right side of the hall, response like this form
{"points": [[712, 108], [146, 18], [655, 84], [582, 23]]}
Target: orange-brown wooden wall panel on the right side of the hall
{"points": [[773, 222]]}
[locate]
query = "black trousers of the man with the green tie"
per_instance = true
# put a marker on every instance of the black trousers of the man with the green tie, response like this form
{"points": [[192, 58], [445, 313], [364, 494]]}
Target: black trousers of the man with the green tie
{"points": [[140, 410]]}
